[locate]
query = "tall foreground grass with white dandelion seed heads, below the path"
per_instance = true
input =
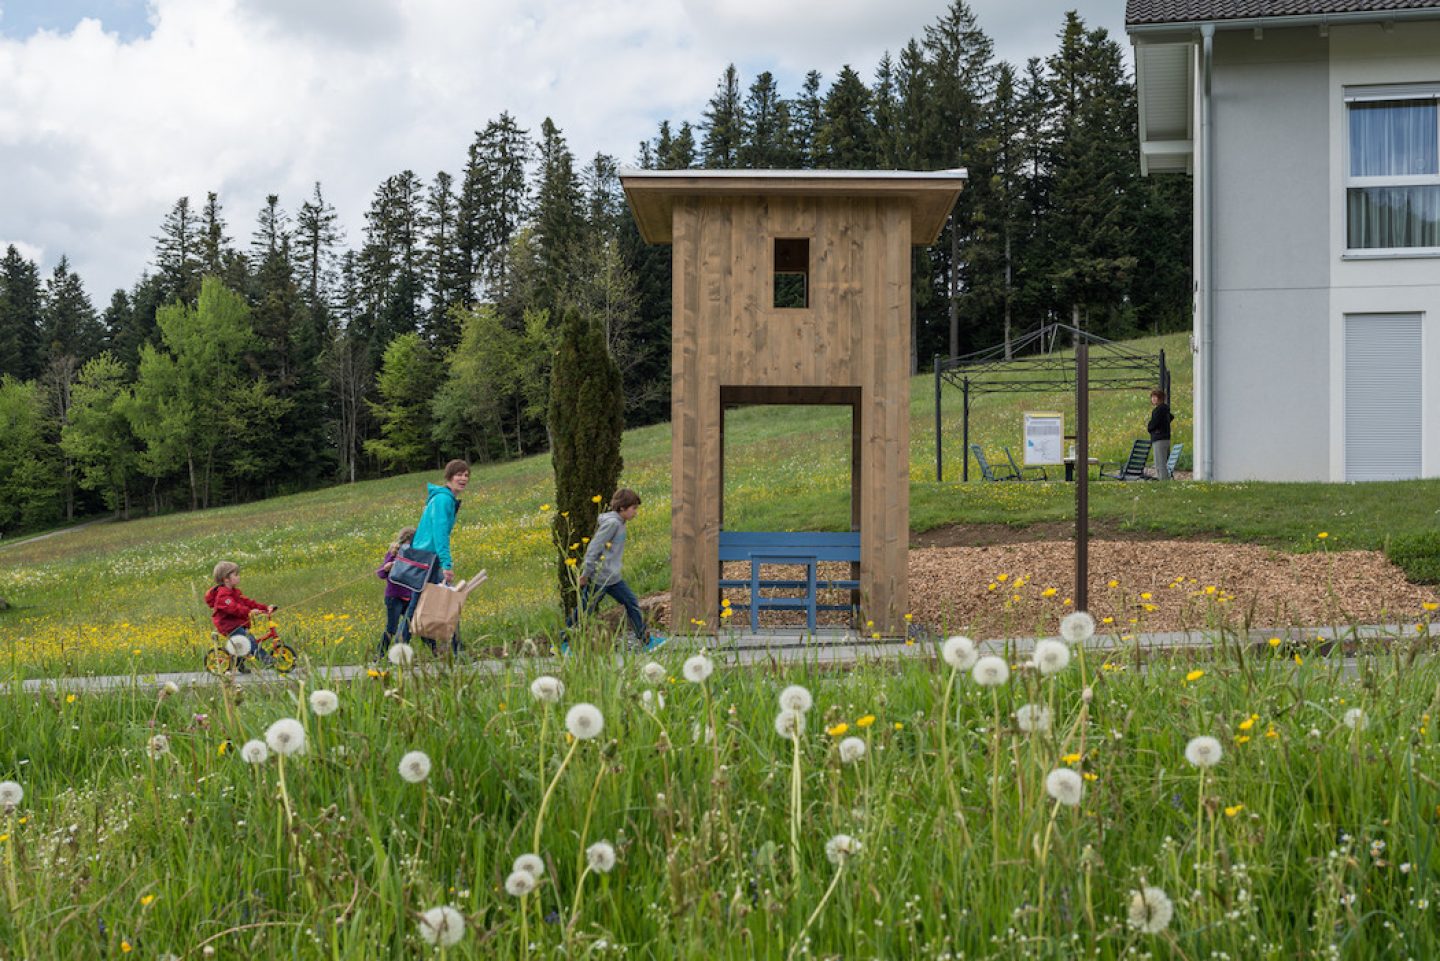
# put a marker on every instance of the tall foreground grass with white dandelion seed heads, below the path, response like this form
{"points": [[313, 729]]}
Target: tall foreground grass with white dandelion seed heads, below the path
{"points": [[1310, 839]]}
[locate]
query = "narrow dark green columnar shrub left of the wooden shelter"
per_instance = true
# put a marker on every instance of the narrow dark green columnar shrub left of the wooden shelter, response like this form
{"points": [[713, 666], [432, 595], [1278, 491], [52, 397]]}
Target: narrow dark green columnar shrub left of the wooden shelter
{"points": [[587, 421]]}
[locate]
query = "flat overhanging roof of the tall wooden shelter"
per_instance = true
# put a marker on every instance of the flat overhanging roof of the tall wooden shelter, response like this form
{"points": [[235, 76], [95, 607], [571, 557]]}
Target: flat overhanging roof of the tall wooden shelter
{"points": [[931, 195]]}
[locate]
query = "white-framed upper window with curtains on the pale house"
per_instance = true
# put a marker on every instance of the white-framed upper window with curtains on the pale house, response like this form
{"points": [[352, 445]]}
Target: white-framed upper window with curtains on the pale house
{"points": [[1393, 181]]}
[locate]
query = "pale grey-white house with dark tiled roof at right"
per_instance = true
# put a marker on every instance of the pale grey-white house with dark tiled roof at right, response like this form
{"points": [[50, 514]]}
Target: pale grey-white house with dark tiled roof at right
{"points": [[1313, 130]]}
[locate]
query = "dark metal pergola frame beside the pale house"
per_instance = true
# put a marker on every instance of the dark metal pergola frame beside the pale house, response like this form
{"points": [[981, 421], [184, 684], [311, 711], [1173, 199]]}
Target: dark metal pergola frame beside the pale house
{"points": [[1036, 367]]}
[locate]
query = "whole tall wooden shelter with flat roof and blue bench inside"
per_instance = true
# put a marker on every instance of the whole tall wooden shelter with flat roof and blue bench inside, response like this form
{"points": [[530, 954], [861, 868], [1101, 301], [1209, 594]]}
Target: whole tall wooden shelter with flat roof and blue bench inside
{"points": [[791, 287]]}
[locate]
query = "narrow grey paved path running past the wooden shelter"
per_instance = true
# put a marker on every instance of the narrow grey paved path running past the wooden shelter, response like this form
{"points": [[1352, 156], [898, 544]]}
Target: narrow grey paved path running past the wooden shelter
{"points": [[778, 648]]}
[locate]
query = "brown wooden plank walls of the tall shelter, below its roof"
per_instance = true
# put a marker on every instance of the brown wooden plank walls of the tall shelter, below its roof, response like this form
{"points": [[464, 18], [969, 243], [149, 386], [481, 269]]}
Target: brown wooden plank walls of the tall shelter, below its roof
{"points": [[856, 334]]}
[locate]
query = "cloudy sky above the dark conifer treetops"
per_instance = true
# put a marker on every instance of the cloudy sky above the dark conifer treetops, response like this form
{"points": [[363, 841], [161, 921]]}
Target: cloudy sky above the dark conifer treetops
{"points": [[112, 110]]}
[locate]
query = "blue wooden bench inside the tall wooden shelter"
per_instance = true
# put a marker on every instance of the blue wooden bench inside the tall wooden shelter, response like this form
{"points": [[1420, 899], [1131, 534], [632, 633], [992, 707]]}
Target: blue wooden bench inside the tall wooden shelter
{"points": [[798, 548]]}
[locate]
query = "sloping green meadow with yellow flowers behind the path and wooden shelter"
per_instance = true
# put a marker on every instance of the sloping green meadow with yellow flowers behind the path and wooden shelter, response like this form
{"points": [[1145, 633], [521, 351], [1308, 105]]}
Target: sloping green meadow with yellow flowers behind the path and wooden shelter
{"points": [[126, 597]]}
